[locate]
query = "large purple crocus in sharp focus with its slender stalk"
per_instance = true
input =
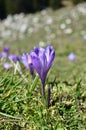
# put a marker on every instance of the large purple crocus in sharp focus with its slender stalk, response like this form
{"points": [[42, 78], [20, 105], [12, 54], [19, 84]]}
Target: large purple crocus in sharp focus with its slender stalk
{"points": [[42, 60]]}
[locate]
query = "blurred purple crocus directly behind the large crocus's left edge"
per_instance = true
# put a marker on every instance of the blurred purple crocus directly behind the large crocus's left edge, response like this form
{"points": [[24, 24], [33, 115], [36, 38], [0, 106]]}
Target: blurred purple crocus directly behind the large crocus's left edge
{"points": [[27, 62]]}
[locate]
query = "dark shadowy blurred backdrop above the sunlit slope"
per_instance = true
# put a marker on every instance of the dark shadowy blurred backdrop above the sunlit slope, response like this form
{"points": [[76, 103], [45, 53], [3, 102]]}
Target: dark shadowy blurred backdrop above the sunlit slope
{"points": [[30, 6]]}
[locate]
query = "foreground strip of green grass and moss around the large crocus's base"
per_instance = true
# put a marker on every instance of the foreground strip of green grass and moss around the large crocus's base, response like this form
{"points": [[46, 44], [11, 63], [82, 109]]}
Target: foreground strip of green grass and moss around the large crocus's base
{"points": [[21, 105]]}
